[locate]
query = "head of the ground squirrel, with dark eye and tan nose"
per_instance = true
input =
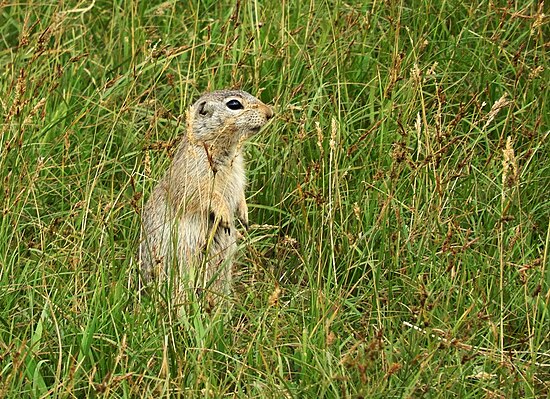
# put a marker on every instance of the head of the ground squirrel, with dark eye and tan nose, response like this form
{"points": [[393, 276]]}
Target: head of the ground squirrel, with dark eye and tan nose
{"points": [[227, 117]]}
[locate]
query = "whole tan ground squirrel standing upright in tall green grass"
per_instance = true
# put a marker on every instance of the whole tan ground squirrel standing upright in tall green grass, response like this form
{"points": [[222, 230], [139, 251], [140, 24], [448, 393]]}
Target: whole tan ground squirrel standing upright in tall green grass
{"points": [[188, 224]]}
